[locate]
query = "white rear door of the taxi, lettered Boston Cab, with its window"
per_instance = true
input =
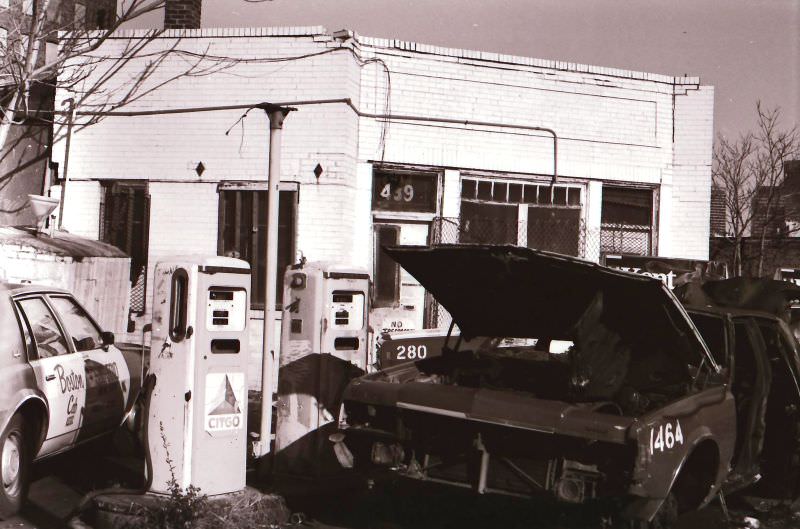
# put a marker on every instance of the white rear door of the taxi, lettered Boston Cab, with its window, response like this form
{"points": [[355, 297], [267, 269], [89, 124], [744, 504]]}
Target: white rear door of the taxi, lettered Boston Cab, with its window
{"points": [[59, 372]]}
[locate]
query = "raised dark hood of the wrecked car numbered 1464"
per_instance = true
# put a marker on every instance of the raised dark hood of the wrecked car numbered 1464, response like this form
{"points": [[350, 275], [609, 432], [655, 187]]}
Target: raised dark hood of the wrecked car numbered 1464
{"points": [[513, 291]]}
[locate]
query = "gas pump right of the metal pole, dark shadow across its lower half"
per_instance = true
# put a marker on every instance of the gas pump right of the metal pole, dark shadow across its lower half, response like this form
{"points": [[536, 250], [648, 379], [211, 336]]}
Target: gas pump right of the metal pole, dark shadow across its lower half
{"points": [[324, 344]]}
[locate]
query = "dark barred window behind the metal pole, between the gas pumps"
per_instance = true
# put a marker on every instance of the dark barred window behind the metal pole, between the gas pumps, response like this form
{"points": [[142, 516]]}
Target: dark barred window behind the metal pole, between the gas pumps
{"points": [[243, 234]]}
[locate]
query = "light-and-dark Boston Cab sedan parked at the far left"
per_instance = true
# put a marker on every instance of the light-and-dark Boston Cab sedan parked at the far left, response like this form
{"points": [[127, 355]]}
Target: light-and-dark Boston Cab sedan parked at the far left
{"points": [[63, 382]]}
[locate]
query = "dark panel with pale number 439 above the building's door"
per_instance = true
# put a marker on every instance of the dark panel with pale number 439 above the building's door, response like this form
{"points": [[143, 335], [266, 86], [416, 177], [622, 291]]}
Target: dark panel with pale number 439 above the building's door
{"points": [[404, 192]]}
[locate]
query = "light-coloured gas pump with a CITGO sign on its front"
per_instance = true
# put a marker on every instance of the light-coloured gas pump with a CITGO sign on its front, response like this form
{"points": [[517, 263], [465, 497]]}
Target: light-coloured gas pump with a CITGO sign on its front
{"points": [[199, 352]]}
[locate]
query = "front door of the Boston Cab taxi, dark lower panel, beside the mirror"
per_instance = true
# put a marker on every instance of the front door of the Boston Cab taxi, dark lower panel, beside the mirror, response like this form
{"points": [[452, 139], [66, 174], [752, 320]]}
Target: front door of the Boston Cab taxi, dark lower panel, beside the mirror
{"points": [[107, 376]]}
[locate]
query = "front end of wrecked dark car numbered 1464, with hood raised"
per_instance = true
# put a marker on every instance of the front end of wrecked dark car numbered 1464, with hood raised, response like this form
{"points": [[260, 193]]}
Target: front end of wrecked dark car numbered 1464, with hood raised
{"points": [[597, 386]]}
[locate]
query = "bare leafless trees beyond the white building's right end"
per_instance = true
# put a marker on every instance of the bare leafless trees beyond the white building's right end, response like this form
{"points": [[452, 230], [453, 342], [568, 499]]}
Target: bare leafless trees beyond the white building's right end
{"points": [[751, 171]]}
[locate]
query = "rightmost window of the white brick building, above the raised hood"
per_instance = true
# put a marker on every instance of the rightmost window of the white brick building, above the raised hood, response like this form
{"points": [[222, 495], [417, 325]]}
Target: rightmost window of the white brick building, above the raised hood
{"points": [[626, 222]]}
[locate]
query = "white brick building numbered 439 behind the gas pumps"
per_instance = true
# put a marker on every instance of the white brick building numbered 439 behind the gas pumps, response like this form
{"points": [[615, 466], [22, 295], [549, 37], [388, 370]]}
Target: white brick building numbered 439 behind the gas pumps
{"points": [[634, 155]]}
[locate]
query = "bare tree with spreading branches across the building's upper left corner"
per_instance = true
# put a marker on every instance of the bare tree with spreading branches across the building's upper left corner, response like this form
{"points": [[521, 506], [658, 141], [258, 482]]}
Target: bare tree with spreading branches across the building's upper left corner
{"points": [[82, 66]]}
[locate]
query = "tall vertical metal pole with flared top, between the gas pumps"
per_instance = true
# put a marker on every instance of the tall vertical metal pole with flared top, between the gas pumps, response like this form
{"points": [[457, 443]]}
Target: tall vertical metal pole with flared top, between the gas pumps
{"points": [[276, 115]]}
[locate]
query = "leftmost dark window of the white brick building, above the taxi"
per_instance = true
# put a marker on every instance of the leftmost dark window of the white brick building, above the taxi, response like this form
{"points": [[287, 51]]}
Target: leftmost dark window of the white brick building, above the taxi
{"points": [[124, 222]]}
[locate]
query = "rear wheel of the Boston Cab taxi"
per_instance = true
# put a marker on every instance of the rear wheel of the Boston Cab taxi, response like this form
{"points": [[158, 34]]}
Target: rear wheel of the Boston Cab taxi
{"points": [[15, 458]]}
